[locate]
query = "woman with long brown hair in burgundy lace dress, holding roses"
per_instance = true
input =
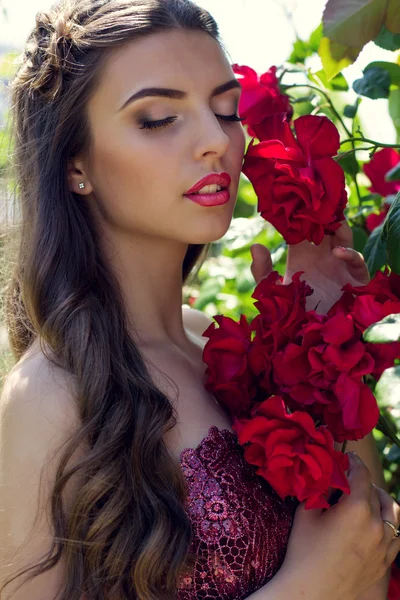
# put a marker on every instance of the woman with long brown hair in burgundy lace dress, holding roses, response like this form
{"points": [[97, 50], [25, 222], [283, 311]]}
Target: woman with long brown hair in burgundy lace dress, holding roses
{"points": [[98, 453]]}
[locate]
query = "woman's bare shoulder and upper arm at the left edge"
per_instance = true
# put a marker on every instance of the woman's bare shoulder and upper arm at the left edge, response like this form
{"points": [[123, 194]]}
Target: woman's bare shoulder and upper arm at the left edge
{"points": [[37, 415]]}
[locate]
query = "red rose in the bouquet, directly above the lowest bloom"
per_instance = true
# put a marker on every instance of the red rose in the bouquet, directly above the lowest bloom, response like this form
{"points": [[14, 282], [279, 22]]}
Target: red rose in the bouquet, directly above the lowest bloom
{"points": [[327, 352]]}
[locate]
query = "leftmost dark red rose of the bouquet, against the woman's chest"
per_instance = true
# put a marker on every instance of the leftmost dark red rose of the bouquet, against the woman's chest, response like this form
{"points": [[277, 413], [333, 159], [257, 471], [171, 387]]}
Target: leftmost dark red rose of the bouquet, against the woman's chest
{"points": [[226, 355]]}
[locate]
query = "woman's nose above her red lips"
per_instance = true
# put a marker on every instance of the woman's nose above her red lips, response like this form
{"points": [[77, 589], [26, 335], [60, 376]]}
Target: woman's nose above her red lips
{"points": [[210, 137]]}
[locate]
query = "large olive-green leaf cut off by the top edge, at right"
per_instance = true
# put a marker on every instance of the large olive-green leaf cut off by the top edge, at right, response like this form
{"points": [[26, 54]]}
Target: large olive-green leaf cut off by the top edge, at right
{"points": [[353, 23]]}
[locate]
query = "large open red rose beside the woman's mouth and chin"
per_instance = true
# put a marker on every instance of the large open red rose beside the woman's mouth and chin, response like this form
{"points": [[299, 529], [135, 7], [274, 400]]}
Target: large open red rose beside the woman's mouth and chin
{"points": [[300, 188]]}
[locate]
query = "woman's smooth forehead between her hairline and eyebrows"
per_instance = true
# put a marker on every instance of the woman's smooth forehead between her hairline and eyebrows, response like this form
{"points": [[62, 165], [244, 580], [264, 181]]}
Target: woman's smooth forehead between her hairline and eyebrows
{"points": [[187, 60]]}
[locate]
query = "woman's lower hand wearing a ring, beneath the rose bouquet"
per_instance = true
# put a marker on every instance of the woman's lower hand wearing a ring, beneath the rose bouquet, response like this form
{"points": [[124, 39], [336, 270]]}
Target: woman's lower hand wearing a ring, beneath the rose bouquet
{"points": [[344, 551]]}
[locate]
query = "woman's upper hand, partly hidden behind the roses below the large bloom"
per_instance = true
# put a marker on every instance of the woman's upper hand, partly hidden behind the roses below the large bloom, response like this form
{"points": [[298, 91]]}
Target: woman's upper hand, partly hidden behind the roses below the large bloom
{"points": [[327, 267]]}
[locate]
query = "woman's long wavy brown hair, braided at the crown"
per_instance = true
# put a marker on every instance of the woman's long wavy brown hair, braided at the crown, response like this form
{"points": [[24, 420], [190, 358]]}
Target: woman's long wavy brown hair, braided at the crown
{"points": [[127, 535]]}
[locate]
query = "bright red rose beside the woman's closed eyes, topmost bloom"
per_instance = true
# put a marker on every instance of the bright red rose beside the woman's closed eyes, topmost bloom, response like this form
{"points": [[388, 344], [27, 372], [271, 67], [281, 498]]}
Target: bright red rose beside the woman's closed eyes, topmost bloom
{"points": [[260, 96]]}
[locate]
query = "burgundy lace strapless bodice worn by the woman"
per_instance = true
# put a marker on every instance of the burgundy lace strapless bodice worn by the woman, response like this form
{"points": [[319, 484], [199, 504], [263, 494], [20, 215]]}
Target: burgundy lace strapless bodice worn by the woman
{"points": [[240, 526]]}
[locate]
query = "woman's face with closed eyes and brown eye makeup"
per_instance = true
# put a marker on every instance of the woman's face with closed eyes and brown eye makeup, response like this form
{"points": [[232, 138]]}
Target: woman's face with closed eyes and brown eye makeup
{"points": [[138, 176]]}
